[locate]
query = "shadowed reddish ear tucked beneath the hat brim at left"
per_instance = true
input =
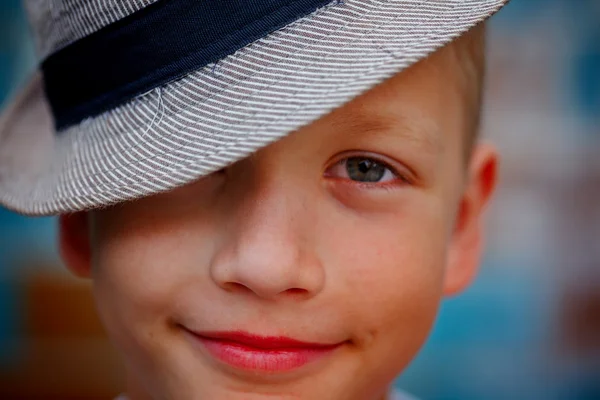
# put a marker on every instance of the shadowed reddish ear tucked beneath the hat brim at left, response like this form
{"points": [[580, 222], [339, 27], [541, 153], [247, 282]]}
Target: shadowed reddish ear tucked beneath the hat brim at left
{"points": [[74, 243]]}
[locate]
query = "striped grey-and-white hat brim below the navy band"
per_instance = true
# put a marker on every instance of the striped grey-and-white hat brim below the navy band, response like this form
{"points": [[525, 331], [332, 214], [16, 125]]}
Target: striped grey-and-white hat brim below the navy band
{"points": [[221, 113]]}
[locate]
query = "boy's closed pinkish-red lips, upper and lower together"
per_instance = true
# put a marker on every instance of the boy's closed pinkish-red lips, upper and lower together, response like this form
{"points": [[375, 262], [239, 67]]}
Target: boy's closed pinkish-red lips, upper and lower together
{"points": [[271, 354]]}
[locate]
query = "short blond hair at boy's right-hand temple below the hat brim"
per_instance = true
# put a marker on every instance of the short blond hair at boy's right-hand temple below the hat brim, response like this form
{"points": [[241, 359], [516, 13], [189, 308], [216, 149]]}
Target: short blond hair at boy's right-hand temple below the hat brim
{"points": [[469, 53]]}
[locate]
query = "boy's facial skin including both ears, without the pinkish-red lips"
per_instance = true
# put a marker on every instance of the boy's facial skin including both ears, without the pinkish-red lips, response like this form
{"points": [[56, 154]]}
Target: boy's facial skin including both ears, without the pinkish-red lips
{"points": [[292, 242]]}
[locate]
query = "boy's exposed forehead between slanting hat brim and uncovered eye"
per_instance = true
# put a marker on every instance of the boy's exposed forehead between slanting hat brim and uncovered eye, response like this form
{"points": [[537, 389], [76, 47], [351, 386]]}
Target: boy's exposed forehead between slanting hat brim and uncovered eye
{"points": [[421, 105]]}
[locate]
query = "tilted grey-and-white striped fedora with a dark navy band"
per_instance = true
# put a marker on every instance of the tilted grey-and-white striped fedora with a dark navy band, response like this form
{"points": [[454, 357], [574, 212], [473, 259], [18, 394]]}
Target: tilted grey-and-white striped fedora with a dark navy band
{"points": [[136, 97]]}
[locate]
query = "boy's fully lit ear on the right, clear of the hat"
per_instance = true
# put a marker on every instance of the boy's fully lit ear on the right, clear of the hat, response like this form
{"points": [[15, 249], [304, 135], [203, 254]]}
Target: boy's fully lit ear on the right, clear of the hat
{"points": [[467, 239]]}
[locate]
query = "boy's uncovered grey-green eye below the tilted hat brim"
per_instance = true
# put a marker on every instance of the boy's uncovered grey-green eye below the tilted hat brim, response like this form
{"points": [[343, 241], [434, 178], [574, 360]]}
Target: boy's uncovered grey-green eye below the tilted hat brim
{"points": [[363, 170]]}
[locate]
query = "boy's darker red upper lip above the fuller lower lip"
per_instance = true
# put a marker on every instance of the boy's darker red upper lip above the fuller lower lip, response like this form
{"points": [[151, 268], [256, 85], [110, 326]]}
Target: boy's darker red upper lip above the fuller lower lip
{"points": [[262, 342]]}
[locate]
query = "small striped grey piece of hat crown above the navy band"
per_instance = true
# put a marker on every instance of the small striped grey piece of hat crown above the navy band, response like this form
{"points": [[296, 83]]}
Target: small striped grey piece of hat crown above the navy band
{"points": [[58, 23]]}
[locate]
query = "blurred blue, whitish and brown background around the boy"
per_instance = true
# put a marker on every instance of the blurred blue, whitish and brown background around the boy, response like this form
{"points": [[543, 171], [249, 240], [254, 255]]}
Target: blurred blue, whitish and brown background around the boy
{"points": [[529, 327]]}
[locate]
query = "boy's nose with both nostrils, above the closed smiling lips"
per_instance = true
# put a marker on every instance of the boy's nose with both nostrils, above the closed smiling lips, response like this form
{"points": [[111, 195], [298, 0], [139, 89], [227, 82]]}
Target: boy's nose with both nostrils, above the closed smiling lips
{"points": [[268, 249]]}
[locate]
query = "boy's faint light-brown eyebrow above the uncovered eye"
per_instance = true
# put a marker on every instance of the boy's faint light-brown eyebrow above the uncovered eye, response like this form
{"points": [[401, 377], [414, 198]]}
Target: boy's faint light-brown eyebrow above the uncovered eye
{"points": [[421, 131]]}
